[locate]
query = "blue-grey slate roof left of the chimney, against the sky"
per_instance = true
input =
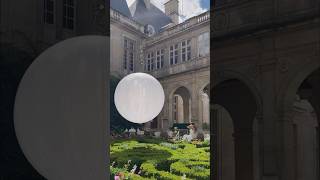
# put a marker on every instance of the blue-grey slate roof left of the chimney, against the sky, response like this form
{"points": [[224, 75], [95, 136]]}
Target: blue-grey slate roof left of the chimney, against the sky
{"points": [[153, 16]]}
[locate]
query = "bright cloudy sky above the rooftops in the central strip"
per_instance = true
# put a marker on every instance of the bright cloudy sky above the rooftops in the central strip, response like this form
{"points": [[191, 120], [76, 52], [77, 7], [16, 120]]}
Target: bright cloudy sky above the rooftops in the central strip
{"points": [[188, 8]]}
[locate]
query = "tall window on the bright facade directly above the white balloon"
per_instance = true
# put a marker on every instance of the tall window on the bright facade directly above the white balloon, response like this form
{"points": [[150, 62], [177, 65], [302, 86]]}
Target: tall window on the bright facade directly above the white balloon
{"points": [[128, 54]]}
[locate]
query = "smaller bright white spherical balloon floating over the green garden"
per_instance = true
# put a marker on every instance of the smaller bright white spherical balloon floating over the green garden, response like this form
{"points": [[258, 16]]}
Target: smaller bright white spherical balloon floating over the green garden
{"points": [[139, 97]]}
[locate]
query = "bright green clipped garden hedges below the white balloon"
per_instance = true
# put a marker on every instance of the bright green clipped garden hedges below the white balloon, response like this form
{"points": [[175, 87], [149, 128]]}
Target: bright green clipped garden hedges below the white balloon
{"points": [[161, 160]]}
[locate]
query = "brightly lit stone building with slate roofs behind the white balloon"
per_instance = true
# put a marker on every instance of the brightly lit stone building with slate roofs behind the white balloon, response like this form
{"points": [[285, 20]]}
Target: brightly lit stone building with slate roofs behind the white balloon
{"points": [[176, 54]]}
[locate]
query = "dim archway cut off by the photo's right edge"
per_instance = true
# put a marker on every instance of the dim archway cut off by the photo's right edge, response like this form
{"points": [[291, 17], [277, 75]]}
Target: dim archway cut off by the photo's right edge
{"points": [[297, 89]]}
